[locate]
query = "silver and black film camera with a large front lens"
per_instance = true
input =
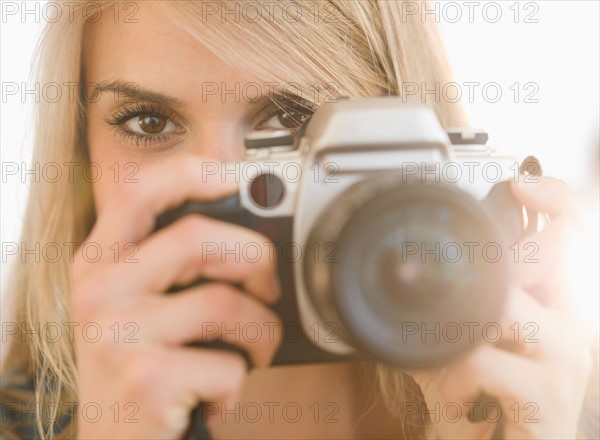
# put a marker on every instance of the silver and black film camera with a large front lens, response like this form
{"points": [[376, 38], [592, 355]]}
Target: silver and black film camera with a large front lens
{"points": [[390, 232]]}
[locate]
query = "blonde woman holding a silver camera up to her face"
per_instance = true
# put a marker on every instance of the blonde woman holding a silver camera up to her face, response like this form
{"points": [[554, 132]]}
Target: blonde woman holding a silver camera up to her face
{"points": [[164, 93]]}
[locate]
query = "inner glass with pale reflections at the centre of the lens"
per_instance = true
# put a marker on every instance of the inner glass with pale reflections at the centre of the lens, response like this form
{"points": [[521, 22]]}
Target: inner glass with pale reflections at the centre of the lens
{"points": [[415, 253]]}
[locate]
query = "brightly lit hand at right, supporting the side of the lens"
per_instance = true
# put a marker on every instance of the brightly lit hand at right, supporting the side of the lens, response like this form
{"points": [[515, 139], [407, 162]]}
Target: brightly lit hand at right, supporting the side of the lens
{"points": [[539, 382]]}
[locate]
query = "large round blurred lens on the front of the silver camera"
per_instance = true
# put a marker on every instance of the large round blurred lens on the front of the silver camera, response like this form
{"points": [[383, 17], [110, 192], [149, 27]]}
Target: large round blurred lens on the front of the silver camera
{"points": [[412, 280]]}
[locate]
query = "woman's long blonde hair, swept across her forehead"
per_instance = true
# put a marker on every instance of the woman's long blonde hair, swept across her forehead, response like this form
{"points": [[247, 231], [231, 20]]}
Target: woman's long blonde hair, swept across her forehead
{"points": [[369, 49]]}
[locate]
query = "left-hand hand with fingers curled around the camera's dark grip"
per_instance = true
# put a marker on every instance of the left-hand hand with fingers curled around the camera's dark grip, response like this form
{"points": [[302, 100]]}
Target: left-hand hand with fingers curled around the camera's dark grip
{"points": [[156, 380]]}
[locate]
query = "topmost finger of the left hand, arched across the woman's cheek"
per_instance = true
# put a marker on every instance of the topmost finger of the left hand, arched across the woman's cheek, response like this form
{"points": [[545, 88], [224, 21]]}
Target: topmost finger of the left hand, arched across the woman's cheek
{"points": [[131, 213]]}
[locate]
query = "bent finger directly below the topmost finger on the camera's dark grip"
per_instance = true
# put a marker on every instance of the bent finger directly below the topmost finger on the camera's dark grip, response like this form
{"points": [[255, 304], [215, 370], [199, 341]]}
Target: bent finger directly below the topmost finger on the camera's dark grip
{"points": [[199, 247]]}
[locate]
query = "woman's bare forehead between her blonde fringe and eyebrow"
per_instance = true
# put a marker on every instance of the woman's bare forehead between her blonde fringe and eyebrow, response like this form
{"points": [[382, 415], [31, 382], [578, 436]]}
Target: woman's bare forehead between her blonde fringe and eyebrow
{"points": [[152, 50]]}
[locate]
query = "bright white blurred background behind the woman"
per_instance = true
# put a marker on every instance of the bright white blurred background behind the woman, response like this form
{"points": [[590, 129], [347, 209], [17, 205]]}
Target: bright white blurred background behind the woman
{"points": [[559, 53]]}
